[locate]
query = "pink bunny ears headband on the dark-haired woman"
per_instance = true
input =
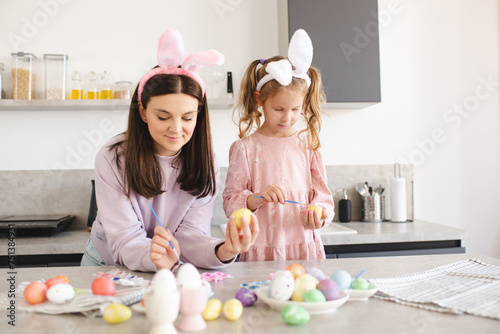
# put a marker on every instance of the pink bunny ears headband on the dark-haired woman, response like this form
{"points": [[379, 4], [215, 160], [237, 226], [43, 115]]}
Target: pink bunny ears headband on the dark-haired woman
{"points": [[171, 55]]}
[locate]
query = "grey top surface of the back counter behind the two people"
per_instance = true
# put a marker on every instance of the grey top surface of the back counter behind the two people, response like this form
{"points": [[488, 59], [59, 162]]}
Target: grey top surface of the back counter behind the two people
{"points": [[74, 241]]}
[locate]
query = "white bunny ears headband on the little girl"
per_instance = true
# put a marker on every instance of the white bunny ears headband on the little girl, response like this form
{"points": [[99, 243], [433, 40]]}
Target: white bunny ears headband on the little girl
{"points": [[299, 55]]}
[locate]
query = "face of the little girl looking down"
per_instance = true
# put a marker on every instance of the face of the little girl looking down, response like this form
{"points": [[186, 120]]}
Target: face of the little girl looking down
{"points": [[281, 111]]}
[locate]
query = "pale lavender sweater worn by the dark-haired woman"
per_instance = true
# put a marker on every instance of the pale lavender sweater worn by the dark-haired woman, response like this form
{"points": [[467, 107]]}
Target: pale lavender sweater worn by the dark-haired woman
{"points": [[124, 226]]}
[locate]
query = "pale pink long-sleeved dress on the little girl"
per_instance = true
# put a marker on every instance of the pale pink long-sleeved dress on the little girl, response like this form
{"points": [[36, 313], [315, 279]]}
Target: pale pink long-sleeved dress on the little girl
{"points": [[258, 161]]}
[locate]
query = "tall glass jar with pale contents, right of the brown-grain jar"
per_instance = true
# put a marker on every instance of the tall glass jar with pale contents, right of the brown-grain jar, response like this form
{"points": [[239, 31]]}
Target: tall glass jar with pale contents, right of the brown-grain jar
{"points": [[55, 76]]}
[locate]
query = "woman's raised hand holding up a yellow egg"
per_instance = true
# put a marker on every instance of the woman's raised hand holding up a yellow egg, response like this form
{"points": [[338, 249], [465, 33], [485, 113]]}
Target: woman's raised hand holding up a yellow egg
{"points": [[238, 240]]}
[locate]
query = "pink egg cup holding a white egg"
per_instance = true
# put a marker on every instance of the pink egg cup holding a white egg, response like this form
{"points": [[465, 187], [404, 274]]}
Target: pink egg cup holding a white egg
{"points": [[193, 302]]}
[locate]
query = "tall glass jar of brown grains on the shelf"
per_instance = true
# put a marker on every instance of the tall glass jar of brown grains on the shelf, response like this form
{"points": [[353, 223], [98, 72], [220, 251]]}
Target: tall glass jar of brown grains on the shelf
{"points": [[23, 76]]}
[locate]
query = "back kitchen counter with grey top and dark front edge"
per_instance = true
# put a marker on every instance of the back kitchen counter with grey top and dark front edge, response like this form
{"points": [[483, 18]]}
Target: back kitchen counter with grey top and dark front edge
{"points": [[340, 240]]}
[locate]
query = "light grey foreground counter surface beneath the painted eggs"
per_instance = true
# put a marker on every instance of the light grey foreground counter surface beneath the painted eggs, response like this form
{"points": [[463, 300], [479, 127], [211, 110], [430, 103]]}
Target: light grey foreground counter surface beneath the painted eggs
{"points": [[372, 316]]}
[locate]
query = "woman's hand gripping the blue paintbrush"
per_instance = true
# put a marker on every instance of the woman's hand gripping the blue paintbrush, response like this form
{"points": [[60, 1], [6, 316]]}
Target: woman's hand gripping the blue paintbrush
{"points": [[161, 254]]}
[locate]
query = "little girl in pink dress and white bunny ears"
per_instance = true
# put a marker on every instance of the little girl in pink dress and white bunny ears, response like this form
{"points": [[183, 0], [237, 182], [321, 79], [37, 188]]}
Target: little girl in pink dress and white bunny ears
{"points": [[277, 163]]}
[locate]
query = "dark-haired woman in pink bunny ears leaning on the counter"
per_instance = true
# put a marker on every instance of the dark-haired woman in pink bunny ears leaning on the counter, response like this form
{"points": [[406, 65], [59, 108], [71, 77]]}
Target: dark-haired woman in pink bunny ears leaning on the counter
{"points": [[163, 162]]}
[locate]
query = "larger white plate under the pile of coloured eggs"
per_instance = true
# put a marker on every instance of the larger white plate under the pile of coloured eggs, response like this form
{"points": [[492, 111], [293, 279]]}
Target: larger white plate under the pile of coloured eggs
{"points": [[311, 307]]}
